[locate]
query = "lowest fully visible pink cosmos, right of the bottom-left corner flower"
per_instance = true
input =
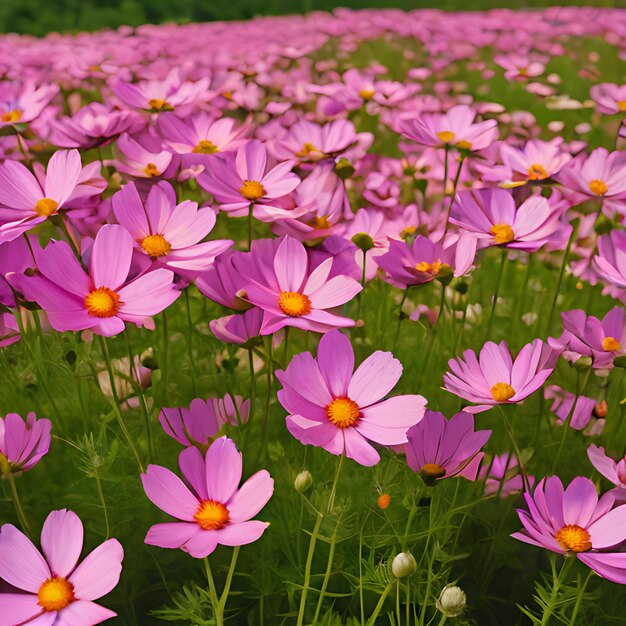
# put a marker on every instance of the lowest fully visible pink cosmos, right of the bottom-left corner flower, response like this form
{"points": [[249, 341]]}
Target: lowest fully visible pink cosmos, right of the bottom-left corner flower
{"points": [[217, 512]]}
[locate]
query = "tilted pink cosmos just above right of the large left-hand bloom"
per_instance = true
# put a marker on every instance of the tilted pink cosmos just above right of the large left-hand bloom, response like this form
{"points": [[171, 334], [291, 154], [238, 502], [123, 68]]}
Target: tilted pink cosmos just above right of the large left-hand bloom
{"points": [[169, 234]]}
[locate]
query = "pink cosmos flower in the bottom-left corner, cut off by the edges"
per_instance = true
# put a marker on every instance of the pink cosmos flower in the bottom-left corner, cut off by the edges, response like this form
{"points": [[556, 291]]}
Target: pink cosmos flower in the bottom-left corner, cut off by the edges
{"points": [[53, 589]]}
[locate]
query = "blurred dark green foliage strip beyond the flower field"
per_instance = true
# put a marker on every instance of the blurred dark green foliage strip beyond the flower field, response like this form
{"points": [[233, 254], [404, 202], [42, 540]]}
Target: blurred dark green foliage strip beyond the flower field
{"points": [[39, 17]]}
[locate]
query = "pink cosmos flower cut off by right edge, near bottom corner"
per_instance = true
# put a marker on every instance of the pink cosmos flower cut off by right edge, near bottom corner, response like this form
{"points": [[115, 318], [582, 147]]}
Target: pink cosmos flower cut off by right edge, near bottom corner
{"points": [[574, 522]]}
